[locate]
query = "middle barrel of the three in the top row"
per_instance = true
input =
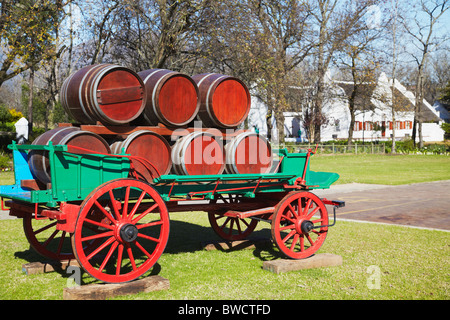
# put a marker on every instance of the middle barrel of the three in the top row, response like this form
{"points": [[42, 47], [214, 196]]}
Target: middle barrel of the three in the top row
{"points": [[172, 98]]}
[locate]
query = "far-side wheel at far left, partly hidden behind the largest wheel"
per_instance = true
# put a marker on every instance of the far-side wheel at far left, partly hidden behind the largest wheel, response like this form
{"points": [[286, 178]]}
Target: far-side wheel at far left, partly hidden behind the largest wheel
{"points": [[46, 240]]}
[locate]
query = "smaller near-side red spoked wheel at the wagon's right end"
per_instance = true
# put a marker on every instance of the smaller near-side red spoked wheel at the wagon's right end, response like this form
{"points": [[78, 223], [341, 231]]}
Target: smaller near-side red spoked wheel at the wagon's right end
{"points": [[299, 224]]}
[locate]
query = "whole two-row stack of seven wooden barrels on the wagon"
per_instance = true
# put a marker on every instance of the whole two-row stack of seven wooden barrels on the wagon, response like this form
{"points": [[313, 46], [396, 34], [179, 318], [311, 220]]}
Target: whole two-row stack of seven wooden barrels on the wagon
{"points": [[134, 105]]}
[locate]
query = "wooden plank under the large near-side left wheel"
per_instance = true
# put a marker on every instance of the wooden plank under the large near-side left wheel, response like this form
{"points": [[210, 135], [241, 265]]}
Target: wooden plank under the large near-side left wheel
{"points": [[108, 290]]}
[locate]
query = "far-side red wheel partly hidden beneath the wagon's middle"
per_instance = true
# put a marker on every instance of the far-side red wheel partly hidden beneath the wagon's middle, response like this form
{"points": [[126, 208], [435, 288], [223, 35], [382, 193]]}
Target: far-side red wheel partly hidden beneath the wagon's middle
{"points": [[231, 228]]}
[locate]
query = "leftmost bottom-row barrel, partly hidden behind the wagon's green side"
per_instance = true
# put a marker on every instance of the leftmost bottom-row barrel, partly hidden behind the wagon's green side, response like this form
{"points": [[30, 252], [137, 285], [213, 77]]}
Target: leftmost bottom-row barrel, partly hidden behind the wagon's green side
{"points": [[72, 136]]}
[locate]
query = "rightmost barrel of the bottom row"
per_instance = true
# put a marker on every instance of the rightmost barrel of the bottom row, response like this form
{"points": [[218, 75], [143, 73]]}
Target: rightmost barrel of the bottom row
{"points": [[248, 152]]}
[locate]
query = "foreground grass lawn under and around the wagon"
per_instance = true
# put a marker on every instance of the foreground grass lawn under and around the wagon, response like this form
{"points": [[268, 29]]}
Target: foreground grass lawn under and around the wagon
{"points": [[412, 264]]}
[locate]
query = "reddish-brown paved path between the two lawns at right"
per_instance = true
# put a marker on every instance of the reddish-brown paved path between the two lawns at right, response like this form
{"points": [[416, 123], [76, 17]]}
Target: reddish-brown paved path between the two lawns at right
{"points": [[421, 204]]}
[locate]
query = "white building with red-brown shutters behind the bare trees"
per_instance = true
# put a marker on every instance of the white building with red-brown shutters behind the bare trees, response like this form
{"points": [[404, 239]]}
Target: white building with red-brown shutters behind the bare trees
{"points": [[373, 121]]}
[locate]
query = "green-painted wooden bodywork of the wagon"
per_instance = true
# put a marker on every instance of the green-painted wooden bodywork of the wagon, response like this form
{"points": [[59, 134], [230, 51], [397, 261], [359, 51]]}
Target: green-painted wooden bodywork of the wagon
{"points": [[75, 176]]}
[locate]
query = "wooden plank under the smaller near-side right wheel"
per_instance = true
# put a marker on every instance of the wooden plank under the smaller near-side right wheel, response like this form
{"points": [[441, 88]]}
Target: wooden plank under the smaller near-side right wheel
{"points": [[315, 261]]}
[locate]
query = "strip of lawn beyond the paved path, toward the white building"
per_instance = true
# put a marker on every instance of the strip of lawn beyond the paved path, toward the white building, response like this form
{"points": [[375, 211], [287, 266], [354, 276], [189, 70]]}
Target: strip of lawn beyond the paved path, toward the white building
{"points": [[384, 169]]}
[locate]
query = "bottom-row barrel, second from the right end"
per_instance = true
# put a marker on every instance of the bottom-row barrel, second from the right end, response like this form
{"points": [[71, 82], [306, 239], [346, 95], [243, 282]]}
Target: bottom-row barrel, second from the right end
{"points": [[198, 153]]}
